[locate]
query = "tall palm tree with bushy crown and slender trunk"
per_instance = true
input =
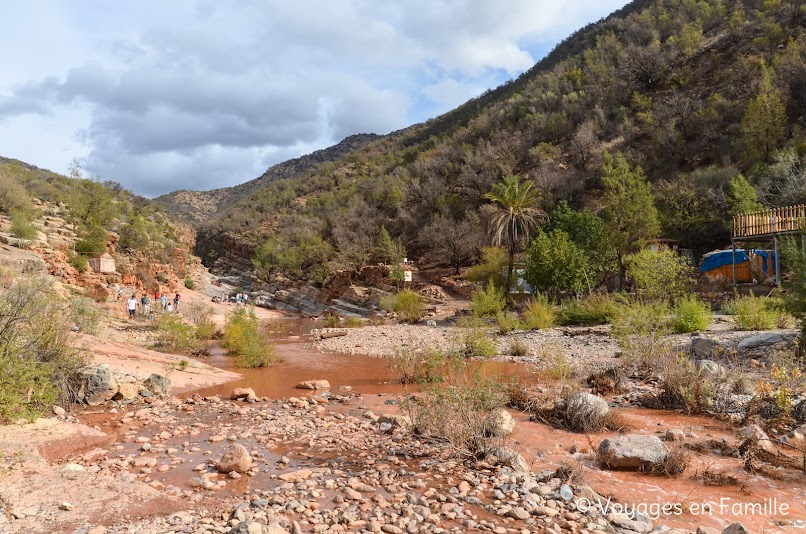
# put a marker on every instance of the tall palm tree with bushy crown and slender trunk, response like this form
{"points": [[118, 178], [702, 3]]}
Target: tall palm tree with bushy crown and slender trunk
{"points": [[516, 214]]}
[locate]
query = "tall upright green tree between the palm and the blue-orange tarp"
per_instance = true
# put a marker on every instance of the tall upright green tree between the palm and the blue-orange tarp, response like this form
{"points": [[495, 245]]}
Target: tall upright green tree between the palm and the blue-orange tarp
{"points": [[628, 207]]}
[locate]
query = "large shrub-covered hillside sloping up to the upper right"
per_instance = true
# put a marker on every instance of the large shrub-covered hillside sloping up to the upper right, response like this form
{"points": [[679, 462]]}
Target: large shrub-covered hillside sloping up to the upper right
{"points": [[693, 92]]}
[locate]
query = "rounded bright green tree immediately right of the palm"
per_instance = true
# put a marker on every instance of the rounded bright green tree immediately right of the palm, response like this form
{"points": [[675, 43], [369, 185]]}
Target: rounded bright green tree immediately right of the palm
{"points": [[554, 263]]}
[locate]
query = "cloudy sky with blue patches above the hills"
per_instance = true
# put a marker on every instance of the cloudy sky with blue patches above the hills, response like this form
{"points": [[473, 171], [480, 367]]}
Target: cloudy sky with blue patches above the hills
{"points": [[202, 94]]}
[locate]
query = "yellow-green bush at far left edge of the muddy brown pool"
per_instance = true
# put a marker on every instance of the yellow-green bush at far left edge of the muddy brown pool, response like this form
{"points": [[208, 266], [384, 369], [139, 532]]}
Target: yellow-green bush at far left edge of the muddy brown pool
{"points": [[244, 339]]}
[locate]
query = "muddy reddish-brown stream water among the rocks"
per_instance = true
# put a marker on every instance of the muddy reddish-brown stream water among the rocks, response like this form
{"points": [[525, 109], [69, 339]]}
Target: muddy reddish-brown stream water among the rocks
{"points": [[760, 502]]}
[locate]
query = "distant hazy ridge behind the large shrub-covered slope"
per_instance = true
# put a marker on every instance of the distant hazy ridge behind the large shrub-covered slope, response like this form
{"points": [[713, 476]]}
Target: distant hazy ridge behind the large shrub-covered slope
{"points": [[197, 207]]}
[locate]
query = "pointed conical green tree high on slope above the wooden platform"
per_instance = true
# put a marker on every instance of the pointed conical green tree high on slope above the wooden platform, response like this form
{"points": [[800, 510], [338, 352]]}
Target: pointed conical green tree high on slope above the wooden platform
{"points": [[764, 121]]}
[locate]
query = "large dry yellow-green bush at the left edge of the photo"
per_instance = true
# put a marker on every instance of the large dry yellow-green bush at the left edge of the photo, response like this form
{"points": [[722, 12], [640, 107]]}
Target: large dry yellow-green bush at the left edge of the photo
{"points": [[39, 361]]}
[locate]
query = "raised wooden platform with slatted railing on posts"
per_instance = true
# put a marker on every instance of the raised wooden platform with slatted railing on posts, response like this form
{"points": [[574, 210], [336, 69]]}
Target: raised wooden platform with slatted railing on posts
{"points": [[768, 225]]}
